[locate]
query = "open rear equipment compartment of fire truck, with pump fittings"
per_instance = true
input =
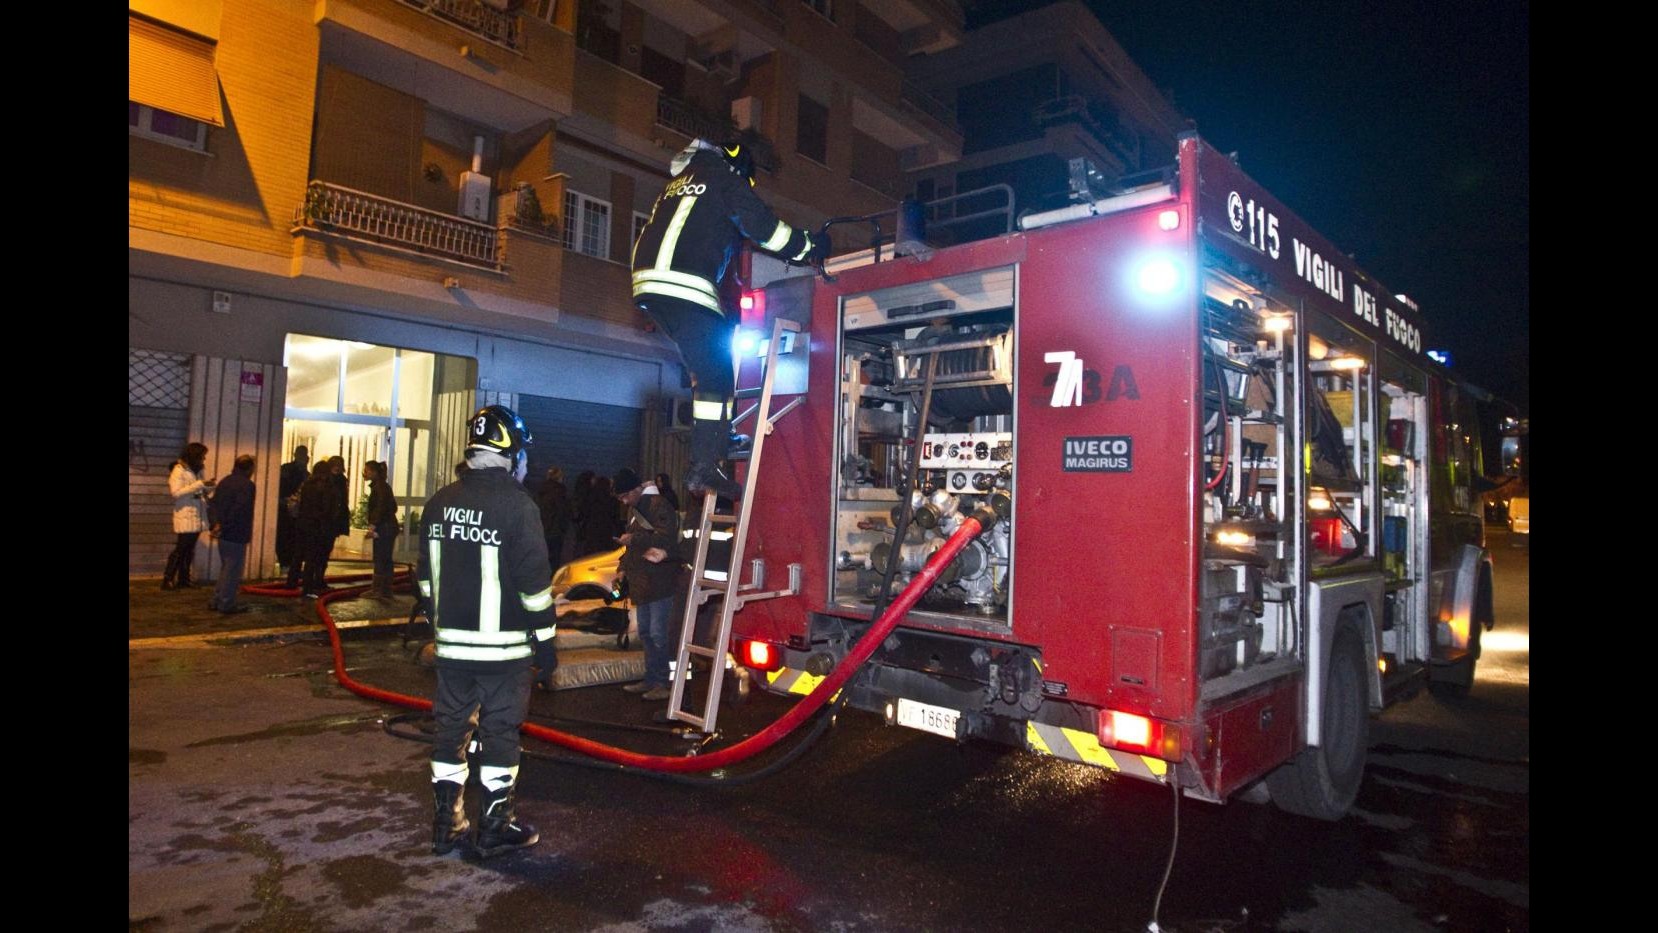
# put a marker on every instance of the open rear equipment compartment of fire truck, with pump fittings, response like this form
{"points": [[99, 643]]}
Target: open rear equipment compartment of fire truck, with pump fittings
{"points": [[962, 331]]}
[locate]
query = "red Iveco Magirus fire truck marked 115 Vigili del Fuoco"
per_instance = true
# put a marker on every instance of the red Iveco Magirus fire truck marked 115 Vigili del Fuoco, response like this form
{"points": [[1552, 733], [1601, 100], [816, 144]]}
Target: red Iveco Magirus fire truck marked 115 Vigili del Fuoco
{"points": [[1236, 500]]}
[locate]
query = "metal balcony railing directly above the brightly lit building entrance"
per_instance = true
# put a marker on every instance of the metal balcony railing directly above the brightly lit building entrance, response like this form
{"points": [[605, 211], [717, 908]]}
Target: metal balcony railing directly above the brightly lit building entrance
{"points": [[362, 216]]}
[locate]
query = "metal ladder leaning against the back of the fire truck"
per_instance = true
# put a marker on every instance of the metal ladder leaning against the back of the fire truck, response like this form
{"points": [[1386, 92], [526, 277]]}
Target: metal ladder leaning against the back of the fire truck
{"points": [[704, 583]]}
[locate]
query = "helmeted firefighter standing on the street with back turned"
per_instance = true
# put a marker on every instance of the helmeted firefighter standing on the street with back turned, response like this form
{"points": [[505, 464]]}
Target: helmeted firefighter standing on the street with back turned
{"points": [[483, 569]]}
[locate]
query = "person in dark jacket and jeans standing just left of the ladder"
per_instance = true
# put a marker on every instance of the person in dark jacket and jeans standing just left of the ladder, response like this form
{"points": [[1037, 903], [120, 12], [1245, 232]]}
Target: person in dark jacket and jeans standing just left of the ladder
{"points": [[652, 576]]}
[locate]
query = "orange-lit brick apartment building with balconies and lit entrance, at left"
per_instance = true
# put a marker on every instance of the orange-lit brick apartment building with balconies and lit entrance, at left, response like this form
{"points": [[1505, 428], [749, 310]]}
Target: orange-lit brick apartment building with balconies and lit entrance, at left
{"points": [[352, 221]]}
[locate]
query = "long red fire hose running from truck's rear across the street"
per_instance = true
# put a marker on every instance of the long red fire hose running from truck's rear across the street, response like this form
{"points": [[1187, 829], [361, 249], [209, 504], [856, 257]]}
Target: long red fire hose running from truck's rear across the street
{"points": [[747, 748]]}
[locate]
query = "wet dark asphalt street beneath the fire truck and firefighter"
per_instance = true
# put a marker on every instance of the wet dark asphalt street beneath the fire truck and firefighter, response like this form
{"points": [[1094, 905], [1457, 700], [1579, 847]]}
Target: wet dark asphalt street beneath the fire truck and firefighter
{"points": [[263, 796]]}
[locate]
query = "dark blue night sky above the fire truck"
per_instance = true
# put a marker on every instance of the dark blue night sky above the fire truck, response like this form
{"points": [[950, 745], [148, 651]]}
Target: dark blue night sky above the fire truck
{"points": [[1402, 132]]}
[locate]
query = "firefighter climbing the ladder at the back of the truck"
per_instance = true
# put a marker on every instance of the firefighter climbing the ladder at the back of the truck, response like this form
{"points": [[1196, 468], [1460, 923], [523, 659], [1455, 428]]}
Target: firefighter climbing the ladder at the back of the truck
{"points": [[681, 264]]}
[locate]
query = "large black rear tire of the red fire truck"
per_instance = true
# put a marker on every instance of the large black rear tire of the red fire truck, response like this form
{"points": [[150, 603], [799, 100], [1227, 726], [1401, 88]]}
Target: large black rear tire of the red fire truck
{"points": [[1324, 781]]}
